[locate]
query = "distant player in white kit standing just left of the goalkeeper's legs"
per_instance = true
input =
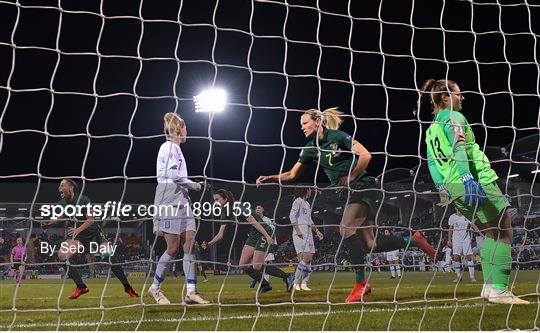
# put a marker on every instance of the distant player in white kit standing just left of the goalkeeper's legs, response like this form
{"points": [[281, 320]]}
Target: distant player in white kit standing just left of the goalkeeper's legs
{"points": [[459, 239]]}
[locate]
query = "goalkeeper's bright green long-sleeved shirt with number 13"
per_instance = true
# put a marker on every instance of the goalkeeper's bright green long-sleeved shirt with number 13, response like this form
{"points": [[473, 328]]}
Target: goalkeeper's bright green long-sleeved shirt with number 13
{"points": [[452, 151]]}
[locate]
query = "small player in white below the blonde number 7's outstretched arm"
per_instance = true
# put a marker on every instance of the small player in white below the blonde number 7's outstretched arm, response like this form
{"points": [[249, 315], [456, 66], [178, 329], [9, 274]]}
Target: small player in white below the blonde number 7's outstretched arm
{"points": [[303, 229]]}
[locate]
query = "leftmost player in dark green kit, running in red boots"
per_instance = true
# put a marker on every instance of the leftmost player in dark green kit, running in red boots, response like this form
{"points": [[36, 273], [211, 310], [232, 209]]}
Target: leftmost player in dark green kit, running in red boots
{"points": [[83, 234]]}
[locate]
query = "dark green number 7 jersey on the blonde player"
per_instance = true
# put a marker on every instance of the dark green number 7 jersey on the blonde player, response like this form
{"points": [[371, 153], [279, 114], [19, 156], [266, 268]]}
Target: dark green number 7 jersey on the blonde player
{"points": [[333, 153]]}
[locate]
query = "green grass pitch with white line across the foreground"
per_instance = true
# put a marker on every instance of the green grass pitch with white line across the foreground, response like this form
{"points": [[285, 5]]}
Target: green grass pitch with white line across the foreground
{"points": [[447, 308]]}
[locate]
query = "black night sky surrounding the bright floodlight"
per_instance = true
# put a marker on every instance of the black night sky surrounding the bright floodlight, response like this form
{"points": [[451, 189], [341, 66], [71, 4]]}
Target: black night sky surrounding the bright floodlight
{"points": [[117, 66]]}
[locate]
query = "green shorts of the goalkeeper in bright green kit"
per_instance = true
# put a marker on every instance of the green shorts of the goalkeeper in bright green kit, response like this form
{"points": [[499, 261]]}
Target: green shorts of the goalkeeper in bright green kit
{"points": [[490, 211]]}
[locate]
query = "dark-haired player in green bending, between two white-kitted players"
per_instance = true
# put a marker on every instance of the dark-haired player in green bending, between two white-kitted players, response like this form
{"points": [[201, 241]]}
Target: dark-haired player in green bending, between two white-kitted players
{"points": [[255, 248]]}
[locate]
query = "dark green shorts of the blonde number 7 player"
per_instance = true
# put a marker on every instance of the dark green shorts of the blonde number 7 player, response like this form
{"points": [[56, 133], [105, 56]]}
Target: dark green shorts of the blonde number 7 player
{"points": [[364, 190]]}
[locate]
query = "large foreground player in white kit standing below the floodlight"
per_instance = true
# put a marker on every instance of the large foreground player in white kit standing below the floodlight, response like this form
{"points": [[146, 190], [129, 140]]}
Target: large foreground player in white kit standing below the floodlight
{"points": [[176, 225]]}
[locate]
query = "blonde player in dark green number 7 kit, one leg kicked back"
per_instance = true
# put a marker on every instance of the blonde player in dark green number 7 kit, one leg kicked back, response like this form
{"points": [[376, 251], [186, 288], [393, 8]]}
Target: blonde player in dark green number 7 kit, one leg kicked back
{"points": [[344, 160]]}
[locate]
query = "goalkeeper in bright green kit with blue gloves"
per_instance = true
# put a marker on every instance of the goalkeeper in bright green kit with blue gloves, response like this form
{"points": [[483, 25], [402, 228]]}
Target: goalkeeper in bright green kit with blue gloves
{"points": [[460, 169]]}
